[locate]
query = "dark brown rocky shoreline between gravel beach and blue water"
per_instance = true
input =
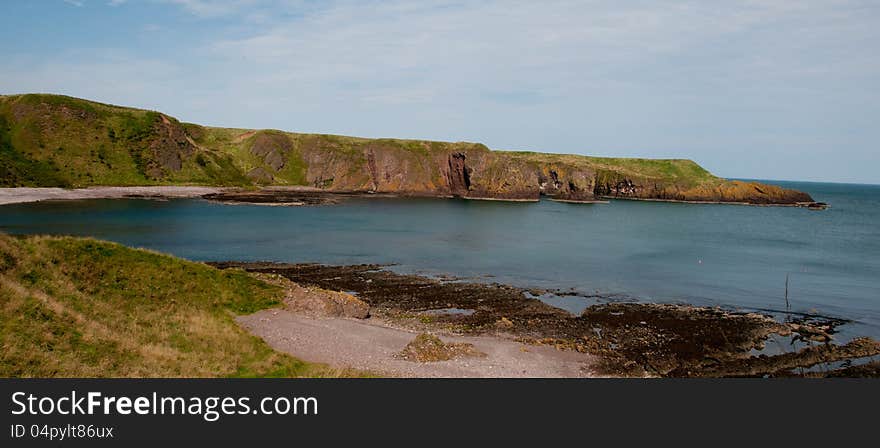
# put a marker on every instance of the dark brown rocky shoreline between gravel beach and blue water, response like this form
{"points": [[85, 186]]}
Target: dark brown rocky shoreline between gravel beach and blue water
{"points": [[625, 339]]}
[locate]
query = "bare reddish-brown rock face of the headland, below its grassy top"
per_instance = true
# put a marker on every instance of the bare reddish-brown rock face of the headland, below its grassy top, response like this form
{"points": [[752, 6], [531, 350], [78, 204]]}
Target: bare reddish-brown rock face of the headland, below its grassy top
{"points": [[472, 171]]}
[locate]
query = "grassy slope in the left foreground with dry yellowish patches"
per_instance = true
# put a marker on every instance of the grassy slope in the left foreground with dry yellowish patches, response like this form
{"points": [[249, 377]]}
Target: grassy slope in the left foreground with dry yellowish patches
{"points": [[77, 307]]}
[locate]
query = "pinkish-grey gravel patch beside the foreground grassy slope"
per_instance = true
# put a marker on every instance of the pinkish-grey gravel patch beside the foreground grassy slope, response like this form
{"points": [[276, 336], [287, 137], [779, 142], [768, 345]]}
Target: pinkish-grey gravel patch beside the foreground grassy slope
{"points": [[371, 345]]}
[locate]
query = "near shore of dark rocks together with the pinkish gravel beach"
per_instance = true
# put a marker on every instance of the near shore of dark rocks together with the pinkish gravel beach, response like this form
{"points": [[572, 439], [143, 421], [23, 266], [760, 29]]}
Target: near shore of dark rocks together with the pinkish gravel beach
{"points": [[620, 339]]}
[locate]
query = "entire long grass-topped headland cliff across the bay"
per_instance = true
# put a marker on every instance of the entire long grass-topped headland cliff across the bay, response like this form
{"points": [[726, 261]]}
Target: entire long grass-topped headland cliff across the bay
{"points": [[52, 140]]}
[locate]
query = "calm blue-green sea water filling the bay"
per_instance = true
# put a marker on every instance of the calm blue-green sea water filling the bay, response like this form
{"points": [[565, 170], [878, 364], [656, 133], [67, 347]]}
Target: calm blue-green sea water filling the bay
{"points": [[733, 256]]}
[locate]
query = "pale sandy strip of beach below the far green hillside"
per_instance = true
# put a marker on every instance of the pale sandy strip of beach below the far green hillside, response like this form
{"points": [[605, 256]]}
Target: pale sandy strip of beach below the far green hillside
{"points": [[25, 194]]}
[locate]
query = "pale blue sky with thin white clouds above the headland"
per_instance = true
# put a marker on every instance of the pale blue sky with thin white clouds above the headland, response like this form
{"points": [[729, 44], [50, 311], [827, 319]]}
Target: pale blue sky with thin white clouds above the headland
{"points": [[749, 89]]}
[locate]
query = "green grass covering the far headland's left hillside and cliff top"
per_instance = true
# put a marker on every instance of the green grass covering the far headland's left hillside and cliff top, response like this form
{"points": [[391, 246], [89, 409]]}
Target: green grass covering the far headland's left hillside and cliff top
{"points": [[66, 139]]}
